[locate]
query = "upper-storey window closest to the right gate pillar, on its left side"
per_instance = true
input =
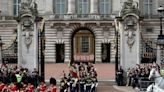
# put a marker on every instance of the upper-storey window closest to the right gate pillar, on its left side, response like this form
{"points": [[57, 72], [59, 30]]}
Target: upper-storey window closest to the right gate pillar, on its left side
{"points": [[105, 6]]}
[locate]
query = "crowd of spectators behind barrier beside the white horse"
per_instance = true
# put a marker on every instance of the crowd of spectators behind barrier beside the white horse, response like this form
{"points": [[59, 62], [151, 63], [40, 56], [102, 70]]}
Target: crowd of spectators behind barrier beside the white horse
{"points": [[140, 72]]}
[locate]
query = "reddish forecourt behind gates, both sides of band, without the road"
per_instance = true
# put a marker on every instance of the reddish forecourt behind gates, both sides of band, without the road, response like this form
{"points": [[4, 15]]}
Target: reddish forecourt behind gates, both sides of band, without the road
{"points": [[105, 71]]}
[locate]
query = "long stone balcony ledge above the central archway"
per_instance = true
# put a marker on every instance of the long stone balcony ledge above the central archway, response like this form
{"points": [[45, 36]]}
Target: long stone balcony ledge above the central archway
{"points": [[80, 16]]}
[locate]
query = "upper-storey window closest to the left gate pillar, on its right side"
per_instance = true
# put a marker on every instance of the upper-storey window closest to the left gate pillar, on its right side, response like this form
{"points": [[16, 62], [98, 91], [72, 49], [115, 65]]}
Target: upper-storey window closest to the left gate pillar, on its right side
{"points": [[59, 6]]}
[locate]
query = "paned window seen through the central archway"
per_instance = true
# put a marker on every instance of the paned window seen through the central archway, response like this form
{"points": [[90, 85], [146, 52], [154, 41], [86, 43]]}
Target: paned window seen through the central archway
{"points": [[85, 44]]}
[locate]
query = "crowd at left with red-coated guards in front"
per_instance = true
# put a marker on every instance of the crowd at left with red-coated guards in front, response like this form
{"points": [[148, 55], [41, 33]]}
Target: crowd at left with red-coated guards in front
{"points": [[17, 79]]}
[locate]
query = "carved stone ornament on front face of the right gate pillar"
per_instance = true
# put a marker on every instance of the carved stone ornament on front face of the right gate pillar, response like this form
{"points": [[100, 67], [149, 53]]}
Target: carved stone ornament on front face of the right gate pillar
{"points": [[130, 26]]}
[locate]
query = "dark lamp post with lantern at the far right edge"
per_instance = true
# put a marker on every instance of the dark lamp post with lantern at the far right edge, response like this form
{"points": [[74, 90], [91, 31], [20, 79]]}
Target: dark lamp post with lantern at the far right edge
{"points": [[160, 39]]}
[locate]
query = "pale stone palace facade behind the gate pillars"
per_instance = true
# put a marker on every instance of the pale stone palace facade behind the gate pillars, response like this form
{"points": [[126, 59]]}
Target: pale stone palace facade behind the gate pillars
{"points": [[83, 30]]}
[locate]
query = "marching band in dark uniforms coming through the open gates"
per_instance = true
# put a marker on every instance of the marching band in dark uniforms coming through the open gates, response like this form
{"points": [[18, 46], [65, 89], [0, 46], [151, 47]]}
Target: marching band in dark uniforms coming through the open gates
{"points": [[81, 78]]}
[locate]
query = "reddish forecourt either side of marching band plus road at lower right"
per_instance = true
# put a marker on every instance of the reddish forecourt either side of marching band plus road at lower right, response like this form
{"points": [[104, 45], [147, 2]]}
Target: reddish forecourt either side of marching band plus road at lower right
{"points": [[106, 74]]}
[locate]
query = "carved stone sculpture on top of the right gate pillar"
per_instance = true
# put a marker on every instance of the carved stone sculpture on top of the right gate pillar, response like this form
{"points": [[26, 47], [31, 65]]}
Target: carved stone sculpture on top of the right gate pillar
{"points": [[129, 7]]}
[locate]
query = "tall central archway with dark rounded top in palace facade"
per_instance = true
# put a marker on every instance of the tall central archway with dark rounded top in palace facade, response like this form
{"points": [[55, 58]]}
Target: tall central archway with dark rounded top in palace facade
{"points": [[83, 45]]}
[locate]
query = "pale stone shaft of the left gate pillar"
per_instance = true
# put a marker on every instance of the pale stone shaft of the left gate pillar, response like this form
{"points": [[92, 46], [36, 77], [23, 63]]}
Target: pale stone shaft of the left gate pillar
{"points": [[28, 47]]}
